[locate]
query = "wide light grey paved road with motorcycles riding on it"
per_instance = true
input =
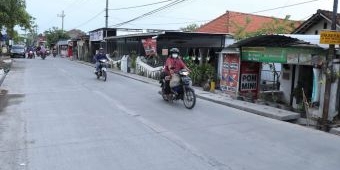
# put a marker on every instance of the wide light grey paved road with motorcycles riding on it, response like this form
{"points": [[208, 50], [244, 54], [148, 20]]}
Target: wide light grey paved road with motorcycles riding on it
{"points": [[55, 115]]}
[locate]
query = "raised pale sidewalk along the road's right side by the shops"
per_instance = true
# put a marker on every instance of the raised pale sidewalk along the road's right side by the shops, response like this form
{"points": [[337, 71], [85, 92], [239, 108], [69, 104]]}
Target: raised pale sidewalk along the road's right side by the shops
{"points": [[222, 98]]}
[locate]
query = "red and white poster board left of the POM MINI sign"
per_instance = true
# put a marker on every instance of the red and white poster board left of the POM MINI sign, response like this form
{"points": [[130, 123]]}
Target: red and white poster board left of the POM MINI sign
{"points": [[230, 73]]}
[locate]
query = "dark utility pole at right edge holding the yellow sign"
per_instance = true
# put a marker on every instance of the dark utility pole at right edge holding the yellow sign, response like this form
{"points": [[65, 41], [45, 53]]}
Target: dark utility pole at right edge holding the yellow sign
{"points": [[329, 73]]}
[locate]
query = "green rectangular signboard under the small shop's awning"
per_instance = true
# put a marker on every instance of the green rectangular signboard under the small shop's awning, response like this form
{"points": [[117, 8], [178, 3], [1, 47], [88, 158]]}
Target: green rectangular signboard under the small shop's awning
{"points": [[264, 54]]}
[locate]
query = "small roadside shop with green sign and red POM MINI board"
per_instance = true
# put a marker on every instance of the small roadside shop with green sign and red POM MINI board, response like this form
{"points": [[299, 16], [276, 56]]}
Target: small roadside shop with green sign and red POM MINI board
{"points": [[300, 68]]}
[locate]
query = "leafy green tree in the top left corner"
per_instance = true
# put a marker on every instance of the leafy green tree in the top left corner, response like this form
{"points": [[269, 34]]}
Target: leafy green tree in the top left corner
{"points": [[13, 13]]}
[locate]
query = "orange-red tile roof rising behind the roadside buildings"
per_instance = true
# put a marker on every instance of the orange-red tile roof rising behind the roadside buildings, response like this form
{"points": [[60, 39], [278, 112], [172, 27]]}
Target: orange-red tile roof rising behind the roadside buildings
{"points": [[226, 23]]}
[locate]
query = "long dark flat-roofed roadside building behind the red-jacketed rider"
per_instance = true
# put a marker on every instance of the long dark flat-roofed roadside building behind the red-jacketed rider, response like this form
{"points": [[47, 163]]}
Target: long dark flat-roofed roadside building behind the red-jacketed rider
{"points": [[153, 46]]}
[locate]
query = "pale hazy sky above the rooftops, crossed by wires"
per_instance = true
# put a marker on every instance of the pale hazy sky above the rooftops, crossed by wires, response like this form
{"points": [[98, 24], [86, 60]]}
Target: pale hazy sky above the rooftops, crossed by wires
{"points": [[88, 15]]}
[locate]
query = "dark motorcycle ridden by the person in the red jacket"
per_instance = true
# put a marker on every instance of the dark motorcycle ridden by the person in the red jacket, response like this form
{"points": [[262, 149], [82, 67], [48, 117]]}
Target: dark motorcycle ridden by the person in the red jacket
{"points": [[180, 90]]}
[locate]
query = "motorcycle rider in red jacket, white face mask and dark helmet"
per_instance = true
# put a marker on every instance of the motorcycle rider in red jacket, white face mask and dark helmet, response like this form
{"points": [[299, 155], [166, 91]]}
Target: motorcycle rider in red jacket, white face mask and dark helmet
{"points": [[173, 64]]}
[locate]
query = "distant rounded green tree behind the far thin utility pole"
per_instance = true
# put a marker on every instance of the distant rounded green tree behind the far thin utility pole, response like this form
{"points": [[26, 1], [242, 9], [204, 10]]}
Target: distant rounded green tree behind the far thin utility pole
{"points": [[53, 35]]}
